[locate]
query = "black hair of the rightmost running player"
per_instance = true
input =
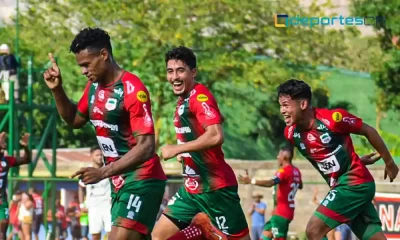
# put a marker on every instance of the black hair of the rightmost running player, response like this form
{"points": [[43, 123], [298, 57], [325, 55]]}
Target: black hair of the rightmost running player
{"points": [[296, 89]]}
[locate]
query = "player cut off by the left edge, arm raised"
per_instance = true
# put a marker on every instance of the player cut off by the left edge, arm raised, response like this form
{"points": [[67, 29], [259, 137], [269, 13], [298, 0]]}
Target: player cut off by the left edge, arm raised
{"points": [[7, 162]]}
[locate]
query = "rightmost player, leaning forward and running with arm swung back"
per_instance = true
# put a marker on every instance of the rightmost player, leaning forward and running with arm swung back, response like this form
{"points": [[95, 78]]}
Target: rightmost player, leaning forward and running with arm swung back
{"points": [[323, 137]]}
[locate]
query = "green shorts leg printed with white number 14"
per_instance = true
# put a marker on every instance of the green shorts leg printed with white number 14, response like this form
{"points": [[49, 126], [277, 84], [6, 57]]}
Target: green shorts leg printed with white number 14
{"points": [[135, 206]]}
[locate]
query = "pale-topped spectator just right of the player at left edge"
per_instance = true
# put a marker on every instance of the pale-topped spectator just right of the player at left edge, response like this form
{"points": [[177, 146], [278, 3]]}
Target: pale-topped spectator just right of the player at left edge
{"points": [[25, 215]]}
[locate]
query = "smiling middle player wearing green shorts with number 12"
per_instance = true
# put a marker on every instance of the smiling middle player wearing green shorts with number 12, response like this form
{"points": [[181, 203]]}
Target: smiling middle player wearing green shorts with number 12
{"points": [[211, 188]]}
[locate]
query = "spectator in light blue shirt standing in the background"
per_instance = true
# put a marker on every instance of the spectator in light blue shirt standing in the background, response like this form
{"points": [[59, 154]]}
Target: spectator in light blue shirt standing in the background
{"points": [[257, 214]]}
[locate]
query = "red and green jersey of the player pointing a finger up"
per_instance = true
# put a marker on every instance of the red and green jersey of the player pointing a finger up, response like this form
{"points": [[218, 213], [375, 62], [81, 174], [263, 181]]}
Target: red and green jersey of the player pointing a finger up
{"points": [[119, 112]]}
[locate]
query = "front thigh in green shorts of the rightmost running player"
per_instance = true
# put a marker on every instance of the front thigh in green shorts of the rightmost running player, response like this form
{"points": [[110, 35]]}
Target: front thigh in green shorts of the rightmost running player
{"points": [[344, 203]]}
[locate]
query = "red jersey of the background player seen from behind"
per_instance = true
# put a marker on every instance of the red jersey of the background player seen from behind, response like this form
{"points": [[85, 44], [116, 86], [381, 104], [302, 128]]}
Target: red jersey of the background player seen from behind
{"points": [[288, 181]]}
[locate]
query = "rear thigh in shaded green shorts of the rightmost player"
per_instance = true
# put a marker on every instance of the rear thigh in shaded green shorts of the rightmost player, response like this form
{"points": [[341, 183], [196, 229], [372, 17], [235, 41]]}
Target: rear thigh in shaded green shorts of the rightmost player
{"points": [[367, 224]]}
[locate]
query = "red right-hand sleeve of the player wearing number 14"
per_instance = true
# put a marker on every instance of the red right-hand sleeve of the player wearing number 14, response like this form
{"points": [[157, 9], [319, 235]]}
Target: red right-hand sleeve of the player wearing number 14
{"points": [[137, 104]]}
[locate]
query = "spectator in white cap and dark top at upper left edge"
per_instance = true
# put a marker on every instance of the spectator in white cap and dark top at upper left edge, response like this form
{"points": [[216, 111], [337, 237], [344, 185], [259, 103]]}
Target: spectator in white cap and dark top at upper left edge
{"points": [[8, 72]]}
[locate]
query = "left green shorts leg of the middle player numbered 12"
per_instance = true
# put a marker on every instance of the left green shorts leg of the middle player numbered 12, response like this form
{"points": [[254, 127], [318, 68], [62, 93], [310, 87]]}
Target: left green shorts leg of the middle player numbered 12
{"points": [[181, 208]]}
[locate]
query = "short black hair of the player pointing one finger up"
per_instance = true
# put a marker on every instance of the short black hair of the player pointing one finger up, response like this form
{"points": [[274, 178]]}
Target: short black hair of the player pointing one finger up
{"points": [[91, 39]]}
